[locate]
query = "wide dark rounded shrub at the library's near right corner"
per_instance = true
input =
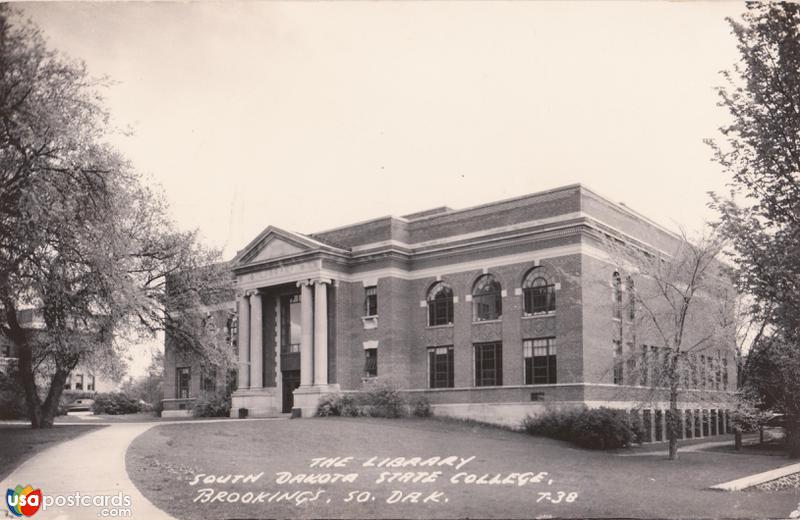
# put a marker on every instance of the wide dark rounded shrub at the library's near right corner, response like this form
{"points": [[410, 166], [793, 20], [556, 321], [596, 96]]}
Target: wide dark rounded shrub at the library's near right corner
{"points": [[596, 428]]}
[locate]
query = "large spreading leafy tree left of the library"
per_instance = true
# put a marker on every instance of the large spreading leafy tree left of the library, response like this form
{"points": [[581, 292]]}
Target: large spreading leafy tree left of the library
{"points": [[81, 237]]}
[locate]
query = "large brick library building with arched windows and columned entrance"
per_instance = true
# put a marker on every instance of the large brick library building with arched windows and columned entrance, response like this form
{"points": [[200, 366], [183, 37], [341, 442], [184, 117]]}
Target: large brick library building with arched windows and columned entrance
{"points": [[489, 312]]}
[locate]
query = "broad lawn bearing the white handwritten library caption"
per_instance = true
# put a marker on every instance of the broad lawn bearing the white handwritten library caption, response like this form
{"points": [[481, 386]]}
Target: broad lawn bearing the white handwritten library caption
{"points": [[526, 476]]}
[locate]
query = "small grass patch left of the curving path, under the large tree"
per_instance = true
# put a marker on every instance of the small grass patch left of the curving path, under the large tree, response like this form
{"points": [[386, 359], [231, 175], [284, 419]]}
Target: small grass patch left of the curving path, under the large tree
{"points": [[19, 442]]}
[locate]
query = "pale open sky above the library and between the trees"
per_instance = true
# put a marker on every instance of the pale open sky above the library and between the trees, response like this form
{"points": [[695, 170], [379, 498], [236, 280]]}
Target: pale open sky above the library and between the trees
{"points": [[313, 115]]}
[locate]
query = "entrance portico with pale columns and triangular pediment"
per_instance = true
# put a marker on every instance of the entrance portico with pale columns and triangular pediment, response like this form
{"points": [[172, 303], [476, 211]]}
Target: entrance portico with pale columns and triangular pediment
{"points": [[283, 310]]}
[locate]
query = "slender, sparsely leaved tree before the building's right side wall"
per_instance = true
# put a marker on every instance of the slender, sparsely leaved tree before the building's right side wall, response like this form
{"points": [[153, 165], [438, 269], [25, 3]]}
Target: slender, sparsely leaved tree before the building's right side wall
{"points": [[675, 311]]}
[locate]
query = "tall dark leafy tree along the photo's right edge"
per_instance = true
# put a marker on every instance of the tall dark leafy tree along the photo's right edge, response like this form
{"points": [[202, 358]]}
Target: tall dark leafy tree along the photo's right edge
{"points": [[760, 150]]}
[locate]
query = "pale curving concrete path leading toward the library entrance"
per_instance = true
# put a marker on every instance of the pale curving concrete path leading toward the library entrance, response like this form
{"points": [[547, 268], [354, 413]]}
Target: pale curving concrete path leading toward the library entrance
{"points": [[92, 464]]}
